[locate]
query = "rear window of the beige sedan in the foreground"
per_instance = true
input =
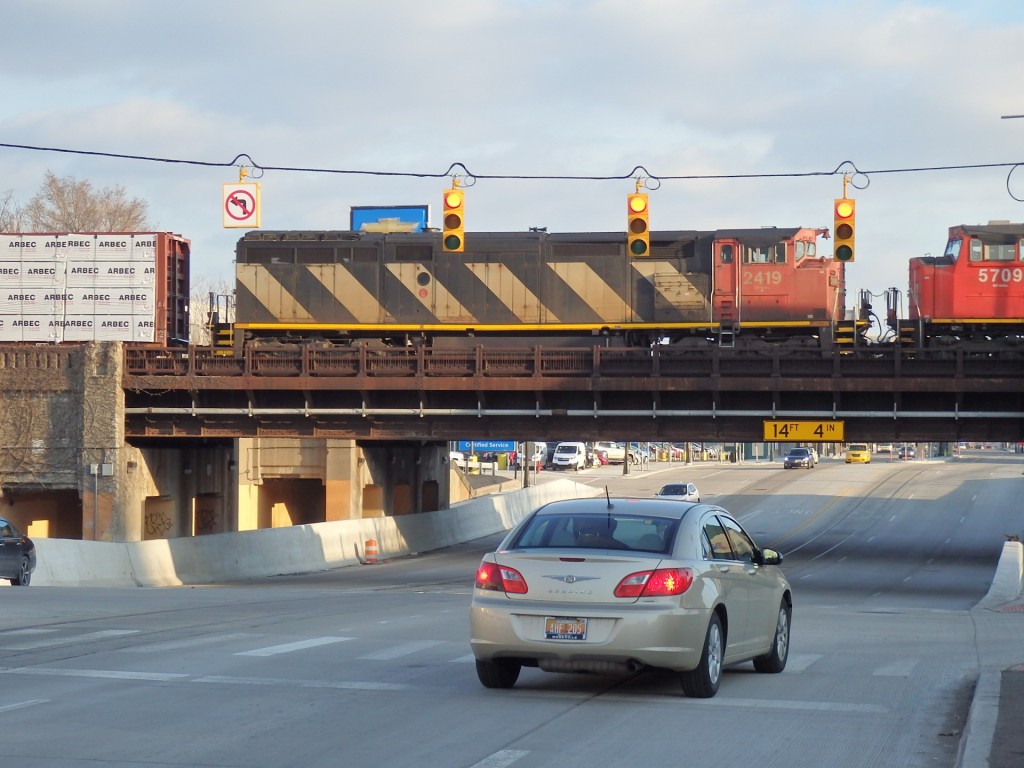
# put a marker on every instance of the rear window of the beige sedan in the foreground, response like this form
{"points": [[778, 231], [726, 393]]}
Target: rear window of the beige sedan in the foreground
{"points": [[620, 532]]}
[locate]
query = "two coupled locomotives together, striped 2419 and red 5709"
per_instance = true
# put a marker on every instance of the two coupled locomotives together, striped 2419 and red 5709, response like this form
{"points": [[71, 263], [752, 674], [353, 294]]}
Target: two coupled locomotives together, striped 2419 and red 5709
{"points": [[728, 288]]}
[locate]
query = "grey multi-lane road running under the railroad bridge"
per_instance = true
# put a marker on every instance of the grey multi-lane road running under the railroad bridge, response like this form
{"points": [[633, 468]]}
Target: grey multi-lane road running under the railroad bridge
{"points": [[370, 666]]}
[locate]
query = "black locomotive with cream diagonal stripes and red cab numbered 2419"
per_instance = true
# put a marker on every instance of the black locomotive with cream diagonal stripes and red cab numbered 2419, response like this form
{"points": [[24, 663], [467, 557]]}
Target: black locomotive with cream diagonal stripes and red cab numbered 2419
{"points": [[729, 287]]}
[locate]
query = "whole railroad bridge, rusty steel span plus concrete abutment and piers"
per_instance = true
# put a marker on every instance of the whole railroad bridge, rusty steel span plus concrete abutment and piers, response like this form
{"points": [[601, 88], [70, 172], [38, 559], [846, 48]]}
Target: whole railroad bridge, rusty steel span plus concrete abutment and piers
{"points": [[113, 443]]}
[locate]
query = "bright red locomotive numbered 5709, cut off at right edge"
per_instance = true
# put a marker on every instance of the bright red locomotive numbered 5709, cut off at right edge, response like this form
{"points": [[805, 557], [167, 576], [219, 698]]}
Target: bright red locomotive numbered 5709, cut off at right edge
{"points": [[972, 296]]}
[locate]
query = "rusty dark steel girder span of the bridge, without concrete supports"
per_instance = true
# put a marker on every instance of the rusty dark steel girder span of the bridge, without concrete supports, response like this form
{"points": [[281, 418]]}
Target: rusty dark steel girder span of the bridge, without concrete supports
{"points": [[658, 394]]}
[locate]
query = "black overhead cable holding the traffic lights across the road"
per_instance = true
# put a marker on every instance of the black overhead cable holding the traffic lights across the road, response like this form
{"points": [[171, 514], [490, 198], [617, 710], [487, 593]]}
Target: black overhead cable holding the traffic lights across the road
{"points": [[239, 160]]}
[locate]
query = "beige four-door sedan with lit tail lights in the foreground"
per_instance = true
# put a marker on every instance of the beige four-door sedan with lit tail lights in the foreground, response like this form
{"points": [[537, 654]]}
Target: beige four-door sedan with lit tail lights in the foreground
{"points": [[617, 585]]}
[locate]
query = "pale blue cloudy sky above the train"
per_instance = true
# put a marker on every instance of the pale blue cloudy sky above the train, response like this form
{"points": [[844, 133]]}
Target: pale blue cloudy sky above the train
{"points": [[755, 110]]}
